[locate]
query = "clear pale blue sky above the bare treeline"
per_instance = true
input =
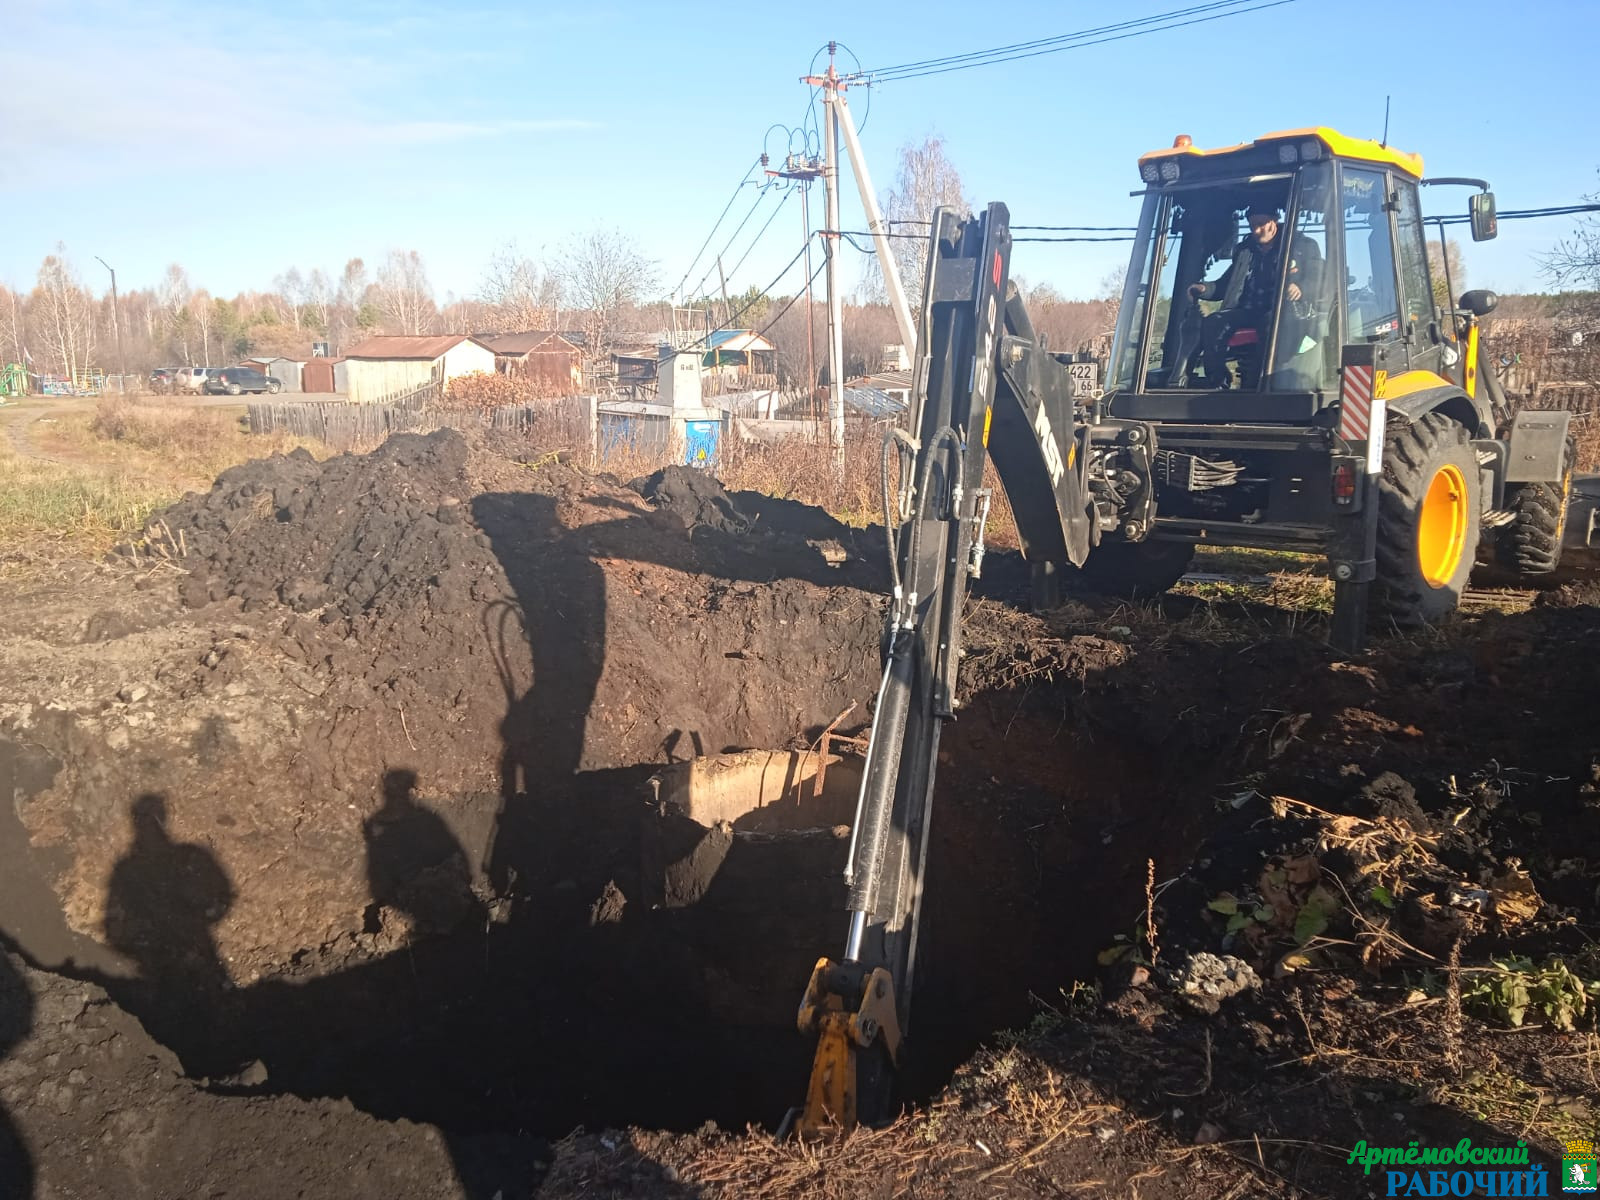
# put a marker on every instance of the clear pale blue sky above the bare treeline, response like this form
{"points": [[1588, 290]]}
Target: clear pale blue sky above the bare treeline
{"points": [[241, 140]]}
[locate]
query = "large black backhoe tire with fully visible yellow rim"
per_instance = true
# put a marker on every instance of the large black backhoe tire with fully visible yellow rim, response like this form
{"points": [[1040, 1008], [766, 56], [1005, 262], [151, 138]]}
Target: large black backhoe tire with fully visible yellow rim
{"points": [[1423, 569]]}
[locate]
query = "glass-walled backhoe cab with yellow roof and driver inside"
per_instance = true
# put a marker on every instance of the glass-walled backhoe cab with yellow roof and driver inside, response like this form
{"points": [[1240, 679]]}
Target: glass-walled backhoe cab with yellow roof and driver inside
{"points": [[1346, 263]]}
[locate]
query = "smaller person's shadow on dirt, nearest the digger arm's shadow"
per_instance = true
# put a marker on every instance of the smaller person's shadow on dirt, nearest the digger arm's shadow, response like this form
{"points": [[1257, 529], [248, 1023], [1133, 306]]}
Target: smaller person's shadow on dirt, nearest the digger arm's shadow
{"points": [[415, 866]]}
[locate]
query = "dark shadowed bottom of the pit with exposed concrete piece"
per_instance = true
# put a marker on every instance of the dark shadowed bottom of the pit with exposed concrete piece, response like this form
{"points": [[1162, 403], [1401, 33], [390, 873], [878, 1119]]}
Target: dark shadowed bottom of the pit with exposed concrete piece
{"points": [[647, 967]]}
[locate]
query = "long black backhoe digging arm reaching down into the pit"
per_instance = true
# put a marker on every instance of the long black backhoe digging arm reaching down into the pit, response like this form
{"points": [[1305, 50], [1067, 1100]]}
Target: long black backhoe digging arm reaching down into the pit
{"points": [[980, 382]]}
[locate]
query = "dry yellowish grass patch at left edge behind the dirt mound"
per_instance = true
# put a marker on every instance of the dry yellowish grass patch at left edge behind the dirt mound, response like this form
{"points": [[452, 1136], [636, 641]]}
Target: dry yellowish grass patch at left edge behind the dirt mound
{"points": [[108, 471]]}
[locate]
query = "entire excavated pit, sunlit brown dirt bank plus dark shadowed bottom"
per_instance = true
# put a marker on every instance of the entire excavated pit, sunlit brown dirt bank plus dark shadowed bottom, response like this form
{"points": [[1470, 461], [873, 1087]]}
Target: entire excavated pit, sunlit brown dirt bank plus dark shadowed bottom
{"points": [[402, 834]]}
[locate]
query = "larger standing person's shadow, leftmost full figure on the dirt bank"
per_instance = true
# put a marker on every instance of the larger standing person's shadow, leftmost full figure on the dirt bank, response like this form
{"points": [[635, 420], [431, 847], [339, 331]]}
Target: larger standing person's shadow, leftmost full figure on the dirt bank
{"points": [[161, 905]]}
